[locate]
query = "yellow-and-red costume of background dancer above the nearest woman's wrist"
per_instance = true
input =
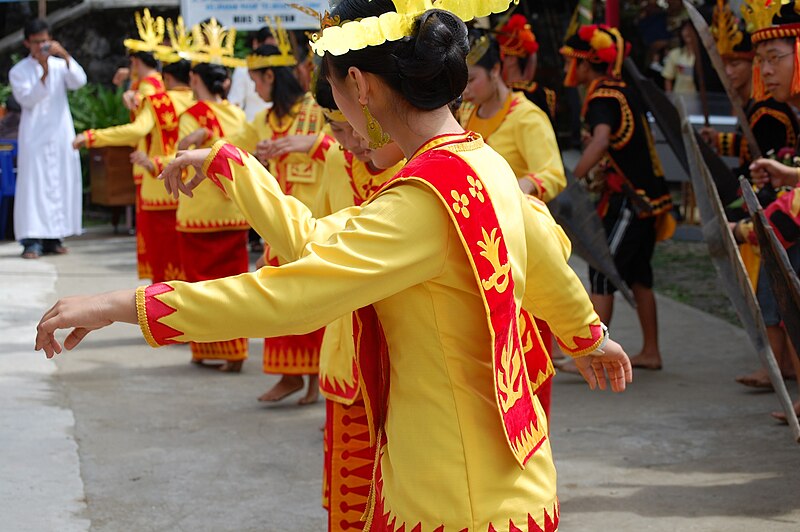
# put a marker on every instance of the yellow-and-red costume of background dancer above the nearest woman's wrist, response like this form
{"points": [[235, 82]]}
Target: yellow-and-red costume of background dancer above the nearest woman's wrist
{"points": [[212, 232]]}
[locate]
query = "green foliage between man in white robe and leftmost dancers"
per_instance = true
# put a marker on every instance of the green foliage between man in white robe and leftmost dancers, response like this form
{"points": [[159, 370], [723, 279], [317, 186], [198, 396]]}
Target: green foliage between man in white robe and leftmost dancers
{"points": [[95, 106]]}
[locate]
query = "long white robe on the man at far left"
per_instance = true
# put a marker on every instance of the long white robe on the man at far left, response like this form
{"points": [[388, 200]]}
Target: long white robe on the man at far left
{"points": [[49, 184]]}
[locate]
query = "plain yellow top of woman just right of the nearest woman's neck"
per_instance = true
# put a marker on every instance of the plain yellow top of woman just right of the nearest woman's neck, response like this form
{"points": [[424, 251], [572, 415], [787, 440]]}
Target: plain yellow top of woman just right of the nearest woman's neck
{"points": [[523, 135]]}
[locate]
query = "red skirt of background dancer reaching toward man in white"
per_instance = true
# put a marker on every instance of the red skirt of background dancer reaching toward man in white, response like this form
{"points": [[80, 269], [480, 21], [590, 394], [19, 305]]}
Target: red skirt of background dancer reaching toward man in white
{"points": [[161, 241]]}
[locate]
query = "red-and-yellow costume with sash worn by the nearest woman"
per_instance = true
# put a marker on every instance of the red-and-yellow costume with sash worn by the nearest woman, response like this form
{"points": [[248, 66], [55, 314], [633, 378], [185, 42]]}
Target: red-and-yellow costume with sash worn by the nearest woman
{"points": [[463, 440]]}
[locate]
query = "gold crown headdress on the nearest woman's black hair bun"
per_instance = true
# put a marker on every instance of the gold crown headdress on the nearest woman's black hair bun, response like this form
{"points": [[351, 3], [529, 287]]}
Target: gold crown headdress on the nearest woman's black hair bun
{"points": [[392, 26]]}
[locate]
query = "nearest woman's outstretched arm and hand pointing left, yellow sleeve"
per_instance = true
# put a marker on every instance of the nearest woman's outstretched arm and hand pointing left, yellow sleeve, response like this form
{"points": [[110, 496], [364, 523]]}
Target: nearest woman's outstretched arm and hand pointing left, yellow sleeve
{"points": [[380, 252]]}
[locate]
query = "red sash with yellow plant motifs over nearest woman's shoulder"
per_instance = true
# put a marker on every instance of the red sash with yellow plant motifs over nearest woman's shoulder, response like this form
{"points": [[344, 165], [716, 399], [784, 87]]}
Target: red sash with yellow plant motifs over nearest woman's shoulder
{"points": [[470, 208]]}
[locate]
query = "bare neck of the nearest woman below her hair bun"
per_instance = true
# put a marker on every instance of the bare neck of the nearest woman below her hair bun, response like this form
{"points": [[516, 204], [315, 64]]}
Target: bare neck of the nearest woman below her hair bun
{"points": [[411, 131]]}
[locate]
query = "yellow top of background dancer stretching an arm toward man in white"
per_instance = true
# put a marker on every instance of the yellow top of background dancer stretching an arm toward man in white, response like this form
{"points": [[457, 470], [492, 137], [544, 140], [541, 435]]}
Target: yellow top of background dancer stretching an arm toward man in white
{"points": [[156, 126]]}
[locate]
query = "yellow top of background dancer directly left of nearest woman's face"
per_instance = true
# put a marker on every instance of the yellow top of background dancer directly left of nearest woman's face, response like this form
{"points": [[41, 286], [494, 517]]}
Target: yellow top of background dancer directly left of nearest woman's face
{"points": [[298, 173]]}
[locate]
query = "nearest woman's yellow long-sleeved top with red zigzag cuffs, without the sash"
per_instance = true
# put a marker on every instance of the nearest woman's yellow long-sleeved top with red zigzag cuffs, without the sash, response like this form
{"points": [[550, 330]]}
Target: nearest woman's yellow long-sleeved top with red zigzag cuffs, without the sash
{"points": [[446, 461]]}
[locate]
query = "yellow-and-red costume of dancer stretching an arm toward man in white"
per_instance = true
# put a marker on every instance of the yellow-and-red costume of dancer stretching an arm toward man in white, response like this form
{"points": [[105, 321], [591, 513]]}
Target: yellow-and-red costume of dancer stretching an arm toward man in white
{"points": [[156, 128]]}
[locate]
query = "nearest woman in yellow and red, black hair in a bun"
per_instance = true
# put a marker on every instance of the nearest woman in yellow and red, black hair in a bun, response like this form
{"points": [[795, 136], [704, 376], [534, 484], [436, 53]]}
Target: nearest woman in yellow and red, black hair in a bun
{"points": [[436, 266]]}
